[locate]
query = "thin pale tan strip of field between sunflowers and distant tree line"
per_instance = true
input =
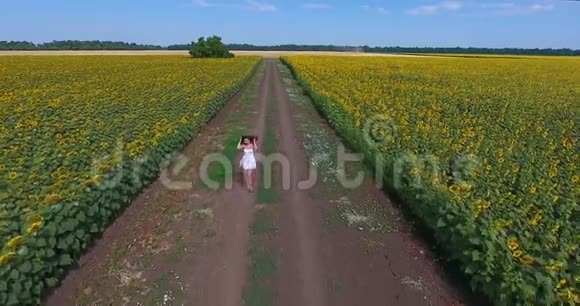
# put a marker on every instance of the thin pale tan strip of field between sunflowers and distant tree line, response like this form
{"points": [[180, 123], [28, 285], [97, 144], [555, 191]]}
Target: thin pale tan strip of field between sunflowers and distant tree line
{"points": [[266, 54]]}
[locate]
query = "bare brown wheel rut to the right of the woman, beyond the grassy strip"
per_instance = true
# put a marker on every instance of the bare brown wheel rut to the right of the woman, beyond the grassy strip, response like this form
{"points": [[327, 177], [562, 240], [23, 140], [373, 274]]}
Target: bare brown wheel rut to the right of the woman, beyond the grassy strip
{"points": [[301, 280]]}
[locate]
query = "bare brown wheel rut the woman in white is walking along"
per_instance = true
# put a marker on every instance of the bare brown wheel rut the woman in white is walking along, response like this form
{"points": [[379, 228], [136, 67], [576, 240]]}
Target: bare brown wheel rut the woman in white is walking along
{"points": [[220, 279]]}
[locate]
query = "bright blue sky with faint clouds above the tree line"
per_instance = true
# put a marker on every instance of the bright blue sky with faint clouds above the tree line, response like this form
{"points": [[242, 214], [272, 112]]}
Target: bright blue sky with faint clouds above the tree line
{"points": [[493, 23]]}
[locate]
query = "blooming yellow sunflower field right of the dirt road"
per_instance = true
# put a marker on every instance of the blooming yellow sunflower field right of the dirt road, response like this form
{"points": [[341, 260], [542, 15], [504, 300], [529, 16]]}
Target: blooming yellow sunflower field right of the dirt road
{"points": [[483, 150]]}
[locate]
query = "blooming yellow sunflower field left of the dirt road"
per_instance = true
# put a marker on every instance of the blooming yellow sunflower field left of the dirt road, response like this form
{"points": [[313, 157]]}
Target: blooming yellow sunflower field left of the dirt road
{"points": [[80, 136]]}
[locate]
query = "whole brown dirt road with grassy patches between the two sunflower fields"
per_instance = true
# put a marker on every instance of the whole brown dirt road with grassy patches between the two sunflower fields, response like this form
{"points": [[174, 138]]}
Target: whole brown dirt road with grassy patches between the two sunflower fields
{"points": [[326, 245]]}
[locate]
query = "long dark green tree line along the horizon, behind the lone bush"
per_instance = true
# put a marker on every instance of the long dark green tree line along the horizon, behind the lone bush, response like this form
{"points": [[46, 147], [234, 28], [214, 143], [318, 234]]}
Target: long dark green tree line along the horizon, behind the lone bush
{"points": [[117, 45]]}
